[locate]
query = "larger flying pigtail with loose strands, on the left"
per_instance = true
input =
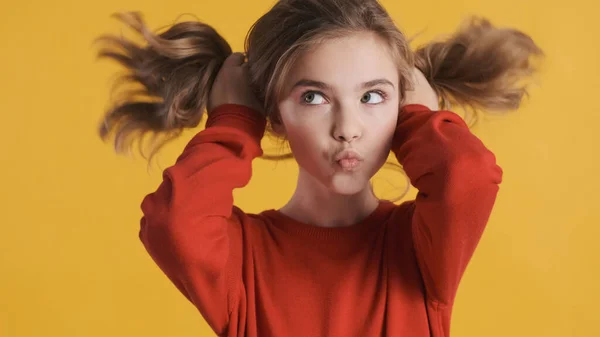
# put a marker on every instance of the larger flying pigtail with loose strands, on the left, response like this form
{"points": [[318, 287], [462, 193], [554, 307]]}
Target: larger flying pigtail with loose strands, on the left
{"points": [[166, 84]]}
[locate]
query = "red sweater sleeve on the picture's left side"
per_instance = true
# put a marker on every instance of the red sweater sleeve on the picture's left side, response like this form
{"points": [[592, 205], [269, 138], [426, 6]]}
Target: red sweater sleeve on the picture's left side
{"points": [[187, 225]]}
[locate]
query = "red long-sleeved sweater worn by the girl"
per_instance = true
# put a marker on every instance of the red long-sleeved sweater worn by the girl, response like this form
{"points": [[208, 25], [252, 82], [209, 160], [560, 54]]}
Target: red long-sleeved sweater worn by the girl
{"points": [[395, 273]]}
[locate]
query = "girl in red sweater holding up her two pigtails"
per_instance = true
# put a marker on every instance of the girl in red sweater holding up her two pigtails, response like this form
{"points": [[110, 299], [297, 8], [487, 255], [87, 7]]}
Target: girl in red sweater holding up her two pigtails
{"points": [[338, 80]]}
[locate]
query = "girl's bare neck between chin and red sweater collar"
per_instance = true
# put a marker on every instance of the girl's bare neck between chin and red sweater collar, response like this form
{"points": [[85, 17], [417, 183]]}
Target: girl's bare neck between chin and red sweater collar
{"points": [[312, 203]]}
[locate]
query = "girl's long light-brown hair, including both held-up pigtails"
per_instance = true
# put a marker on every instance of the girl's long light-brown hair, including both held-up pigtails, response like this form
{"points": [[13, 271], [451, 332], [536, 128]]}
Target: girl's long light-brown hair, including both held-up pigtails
{"points": [[480, 67]]}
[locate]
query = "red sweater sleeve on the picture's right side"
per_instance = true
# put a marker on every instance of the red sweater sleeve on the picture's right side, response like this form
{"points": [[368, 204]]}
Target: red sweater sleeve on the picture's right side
{"points": [[457, 181]]}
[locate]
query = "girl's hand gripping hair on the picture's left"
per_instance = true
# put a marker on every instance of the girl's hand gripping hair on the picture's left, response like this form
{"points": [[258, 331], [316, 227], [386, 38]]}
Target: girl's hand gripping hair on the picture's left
{"points": [[232, 85]]}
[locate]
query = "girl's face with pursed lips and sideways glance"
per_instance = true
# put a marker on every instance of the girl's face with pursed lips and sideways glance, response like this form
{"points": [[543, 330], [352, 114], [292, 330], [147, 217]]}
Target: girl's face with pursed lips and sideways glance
{"points": [[340, 109]]}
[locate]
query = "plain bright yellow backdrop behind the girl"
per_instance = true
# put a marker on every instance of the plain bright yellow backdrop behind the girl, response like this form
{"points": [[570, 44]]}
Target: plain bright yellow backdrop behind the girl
{"points": [[70, 260]]}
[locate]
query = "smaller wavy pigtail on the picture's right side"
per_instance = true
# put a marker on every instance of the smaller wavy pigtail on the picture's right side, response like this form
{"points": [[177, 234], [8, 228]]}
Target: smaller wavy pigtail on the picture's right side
{"points": [[480, 67]]}
